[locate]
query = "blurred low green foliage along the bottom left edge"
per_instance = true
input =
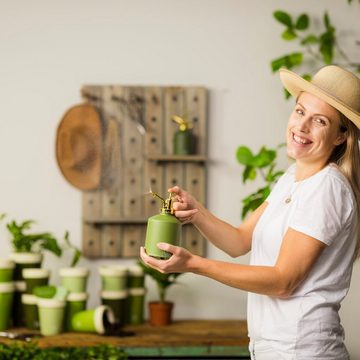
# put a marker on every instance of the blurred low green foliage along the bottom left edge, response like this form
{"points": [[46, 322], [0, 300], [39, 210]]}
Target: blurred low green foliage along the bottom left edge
{"points": [[24, 351]]}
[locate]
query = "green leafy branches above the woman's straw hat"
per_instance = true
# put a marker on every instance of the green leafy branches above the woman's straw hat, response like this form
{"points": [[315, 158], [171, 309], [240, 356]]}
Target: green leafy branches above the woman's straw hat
{"points": [[317, 48]]}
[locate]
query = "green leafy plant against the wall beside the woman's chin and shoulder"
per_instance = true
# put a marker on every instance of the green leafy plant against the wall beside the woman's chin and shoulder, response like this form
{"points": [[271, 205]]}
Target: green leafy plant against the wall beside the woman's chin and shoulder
{"points": [[263, 163]]}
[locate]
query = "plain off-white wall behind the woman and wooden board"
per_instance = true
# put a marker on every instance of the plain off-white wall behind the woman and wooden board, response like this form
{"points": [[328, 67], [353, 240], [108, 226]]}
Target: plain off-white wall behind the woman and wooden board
{"points": [[49, 49]]}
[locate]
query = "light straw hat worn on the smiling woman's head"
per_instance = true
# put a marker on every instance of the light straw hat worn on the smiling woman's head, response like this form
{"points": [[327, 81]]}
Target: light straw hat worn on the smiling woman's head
{"points": [[338, 87]]}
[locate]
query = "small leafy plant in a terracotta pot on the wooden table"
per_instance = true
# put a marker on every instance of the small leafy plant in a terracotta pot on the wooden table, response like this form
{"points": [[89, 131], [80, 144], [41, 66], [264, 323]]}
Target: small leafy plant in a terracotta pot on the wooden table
{"points": [[160, 312]]}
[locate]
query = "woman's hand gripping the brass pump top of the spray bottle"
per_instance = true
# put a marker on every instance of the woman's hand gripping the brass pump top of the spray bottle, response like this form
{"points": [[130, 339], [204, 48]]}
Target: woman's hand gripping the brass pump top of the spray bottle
{"points": [[185, 205]]}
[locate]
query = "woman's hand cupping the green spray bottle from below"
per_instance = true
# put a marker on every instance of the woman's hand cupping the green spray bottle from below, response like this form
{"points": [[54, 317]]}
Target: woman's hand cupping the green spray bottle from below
{"points": [[181, 260]]}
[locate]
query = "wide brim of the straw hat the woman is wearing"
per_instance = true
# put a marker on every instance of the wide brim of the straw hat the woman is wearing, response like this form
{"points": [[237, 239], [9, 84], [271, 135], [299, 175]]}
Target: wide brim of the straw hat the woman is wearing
{"points": [[295, 84]]}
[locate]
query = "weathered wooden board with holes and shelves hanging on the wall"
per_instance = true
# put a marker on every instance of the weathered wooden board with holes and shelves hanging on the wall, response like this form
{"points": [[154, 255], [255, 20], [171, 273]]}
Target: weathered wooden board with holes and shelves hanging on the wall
{"points": [[138, 134]]}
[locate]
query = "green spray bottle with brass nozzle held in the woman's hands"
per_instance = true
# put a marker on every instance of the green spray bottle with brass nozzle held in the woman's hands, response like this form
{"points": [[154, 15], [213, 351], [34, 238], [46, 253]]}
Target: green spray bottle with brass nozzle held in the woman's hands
{"points": [[163, 227]]}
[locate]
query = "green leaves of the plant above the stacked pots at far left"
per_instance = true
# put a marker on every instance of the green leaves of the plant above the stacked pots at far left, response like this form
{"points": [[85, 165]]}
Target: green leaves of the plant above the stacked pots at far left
{"points": [[23, 241]]}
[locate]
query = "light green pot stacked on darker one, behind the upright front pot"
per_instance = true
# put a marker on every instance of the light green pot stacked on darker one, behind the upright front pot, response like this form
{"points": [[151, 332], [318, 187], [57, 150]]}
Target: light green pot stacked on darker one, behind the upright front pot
{"points": [[75, 281]]}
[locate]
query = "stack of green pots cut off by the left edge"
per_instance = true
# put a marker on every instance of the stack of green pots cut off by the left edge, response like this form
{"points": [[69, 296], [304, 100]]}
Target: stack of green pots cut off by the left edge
{"points": [[7, 288]]}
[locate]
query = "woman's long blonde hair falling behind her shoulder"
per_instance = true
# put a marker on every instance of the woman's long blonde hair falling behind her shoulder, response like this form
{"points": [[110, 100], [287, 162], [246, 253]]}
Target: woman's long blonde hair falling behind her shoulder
{"points": [[347, 157]]}
